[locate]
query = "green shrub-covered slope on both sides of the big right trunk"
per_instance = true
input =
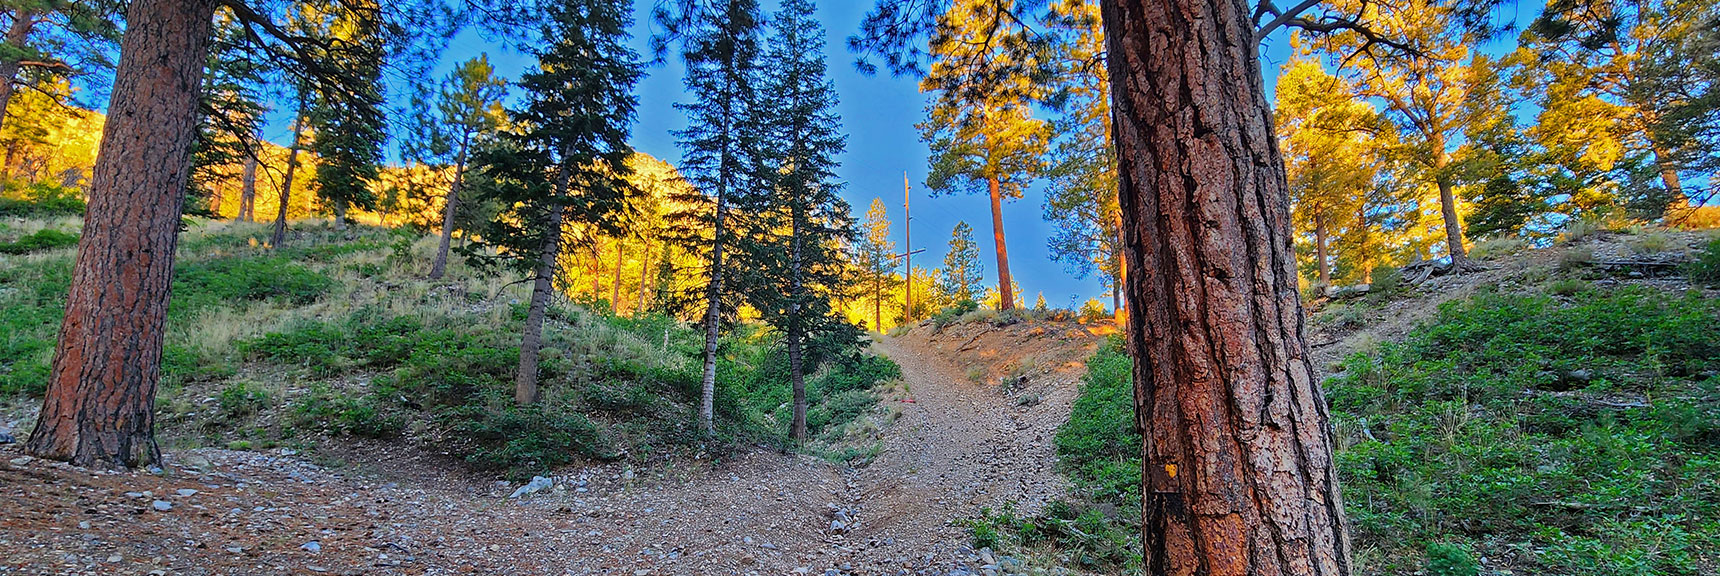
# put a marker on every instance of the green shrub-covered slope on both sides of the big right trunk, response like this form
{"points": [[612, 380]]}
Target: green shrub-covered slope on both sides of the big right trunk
{"points": [[1566, 427]]}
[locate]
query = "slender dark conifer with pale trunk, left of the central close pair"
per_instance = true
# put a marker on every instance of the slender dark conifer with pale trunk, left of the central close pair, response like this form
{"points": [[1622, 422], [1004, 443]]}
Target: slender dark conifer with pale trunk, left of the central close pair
{"points": [[722, 145]]}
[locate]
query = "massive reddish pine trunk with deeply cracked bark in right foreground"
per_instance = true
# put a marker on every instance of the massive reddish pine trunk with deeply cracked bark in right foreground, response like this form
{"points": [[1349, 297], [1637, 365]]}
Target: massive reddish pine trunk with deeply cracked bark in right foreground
{"points": [[1238, 469]]}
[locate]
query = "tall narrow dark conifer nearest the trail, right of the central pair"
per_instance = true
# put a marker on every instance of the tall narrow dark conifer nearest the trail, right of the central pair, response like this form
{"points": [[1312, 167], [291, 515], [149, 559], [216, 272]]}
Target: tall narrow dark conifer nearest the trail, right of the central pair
{"points": [[808, 138]]}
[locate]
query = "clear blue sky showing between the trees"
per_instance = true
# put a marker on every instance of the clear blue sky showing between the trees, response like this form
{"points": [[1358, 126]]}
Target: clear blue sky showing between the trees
{"points": [[878, 114]]}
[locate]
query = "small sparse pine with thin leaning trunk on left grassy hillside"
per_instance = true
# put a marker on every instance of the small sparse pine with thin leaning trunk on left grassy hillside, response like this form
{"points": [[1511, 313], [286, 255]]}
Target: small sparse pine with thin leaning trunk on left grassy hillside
{"points": [[469, 109]]}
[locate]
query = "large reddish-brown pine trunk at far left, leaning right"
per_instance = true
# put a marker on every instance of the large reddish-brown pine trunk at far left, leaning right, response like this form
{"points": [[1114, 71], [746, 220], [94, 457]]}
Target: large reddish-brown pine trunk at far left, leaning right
{"points": [[101, 403]]}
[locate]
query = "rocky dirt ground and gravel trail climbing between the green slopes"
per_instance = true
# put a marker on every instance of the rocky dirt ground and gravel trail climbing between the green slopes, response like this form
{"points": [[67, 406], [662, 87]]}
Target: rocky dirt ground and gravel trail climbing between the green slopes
{"points": [[973, 427]]}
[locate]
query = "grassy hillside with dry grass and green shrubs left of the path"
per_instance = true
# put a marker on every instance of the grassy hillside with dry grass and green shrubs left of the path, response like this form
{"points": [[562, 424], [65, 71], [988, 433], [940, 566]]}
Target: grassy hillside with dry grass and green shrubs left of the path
{"points": [[338, 336]]}
